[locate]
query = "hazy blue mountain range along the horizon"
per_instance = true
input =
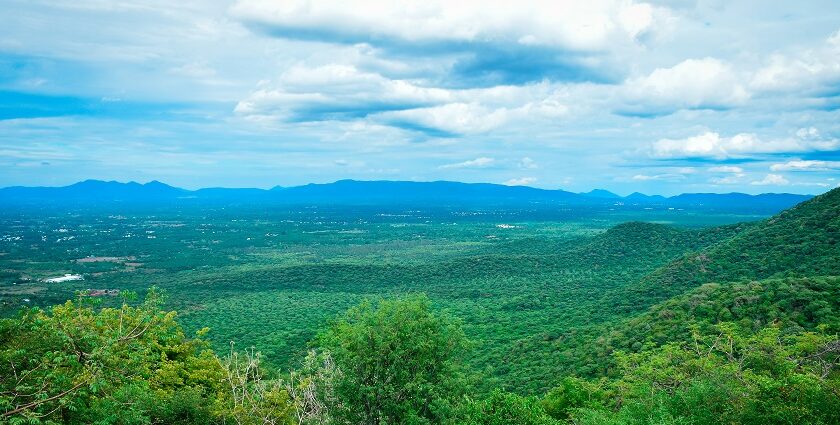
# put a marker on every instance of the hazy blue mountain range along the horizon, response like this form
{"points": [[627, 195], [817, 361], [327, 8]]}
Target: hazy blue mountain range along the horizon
{"points": [[353, 192]]}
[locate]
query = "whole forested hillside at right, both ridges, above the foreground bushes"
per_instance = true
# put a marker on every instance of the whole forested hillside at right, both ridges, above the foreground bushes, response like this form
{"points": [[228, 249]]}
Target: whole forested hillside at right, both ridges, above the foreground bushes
{"points": [[783, 271]]}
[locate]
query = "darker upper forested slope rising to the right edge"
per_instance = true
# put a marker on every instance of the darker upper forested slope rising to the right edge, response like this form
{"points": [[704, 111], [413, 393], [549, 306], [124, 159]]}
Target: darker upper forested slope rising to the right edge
{"points": [[802, 241]]}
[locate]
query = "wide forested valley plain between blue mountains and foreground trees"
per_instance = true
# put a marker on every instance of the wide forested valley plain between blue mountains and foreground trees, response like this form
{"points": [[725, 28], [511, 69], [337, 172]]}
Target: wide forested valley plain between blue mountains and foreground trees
{"points": [[530, 293]]}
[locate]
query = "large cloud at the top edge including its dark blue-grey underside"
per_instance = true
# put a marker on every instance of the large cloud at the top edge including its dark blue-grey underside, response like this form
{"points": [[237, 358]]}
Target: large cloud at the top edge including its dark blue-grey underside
{"points": [[480, 42]]}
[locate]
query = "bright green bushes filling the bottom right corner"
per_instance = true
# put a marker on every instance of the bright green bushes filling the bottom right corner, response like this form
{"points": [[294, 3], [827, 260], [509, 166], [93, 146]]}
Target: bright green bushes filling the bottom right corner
{"points": [[764, 378]]}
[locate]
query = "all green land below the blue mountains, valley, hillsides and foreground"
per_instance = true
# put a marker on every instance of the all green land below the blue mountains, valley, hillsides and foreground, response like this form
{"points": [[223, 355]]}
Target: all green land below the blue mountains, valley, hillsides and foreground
{"points": [[474, 317]]}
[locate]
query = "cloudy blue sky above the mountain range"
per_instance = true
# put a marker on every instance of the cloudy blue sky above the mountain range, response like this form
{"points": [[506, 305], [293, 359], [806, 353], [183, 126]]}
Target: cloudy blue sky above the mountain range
{"points": [[657, 97]]}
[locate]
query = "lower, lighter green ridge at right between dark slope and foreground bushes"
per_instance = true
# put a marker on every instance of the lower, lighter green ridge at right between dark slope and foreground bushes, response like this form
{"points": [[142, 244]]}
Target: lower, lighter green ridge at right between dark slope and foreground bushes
{"points": [[793, 305]]}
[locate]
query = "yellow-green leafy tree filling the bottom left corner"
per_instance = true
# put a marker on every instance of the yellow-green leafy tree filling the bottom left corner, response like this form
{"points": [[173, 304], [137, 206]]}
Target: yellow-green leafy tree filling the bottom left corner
{"points": [[78, 364]]}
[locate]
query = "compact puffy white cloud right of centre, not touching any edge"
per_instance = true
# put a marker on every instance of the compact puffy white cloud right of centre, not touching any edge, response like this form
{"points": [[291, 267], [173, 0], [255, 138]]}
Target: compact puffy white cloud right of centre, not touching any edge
{"points": [[706, 83]]}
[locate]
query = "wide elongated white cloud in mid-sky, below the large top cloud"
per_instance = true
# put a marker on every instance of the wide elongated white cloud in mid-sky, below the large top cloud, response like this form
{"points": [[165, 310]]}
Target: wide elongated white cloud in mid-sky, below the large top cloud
{"points": [[344, 92]]}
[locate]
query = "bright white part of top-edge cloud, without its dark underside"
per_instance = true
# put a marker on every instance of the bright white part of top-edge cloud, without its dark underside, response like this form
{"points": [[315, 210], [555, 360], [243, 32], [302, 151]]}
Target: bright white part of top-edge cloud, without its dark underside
{"points": [[566, 24]]}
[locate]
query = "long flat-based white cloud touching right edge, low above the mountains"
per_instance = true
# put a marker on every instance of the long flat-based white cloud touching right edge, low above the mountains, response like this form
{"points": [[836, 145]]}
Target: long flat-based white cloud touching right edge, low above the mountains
{"points": [[713, 145]]}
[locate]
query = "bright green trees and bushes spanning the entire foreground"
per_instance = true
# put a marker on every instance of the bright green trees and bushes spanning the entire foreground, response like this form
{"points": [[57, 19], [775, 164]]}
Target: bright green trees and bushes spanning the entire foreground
{"points": [[393, 362]]}
